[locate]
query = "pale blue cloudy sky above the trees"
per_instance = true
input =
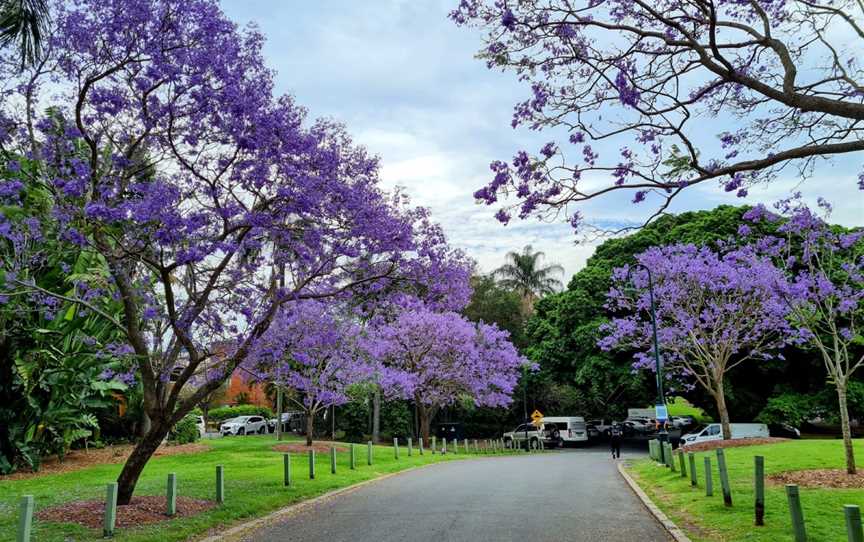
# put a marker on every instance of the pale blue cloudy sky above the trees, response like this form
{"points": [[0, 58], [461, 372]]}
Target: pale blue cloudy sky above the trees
{"points": [[404, 80]]}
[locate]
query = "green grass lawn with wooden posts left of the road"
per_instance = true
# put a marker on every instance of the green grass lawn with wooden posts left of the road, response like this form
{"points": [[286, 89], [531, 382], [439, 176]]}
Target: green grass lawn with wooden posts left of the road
{"points": [[253, 486]]}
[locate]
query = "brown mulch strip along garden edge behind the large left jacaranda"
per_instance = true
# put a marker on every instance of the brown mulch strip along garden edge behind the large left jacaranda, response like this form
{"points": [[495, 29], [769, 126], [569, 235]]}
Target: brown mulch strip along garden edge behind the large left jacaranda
{"points": [[81, 459]]}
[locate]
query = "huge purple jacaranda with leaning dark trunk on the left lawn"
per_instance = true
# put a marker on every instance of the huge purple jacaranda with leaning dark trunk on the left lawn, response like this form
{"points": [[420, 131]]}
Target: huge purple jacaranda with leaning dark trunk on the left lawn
{"points": [[212, 202]]}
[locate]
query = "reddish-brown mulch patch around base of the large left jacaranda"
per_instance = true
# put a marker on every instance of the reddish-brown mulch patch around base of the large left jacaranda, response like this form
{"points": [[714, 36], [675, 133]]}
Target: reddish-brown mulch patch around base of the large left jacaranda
{"points": [[142, 510]]}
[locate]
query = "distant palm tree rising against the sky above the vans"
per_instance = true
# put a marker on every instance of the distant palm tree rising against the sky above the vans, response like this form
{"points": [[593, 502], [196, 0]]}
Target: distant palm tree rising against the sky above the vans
{"points": [[524, 275]]}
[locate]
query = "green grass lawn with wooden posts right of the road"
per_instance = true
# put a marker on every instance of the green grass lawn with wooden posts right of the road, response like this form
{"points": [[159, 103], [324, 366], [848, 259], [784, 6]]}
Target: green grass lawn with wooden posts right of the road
{"points": [[705, 518]]}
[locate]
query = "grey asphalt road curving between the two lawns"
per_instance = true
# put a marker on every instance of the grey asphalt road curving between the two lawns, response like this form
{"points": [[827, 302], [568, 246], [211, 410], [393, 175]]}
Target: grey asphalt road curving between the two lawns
{"points": [[572, 495]]}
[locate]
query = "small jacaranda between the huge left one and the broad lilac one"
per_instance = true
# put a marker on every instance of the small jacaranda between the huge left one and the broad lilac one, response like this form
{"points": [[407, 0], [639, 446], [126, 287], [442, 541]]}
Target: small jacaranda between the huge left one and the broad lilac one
{"points": [[312, 349]]}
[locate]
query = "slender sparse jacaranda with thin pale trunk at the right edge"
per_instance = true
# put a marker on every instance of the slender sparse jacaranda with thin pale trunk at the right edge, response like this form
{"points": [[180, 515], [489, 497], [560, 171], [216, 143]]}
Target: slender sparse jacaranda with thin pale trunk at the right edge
{"points": [[824, 292]]}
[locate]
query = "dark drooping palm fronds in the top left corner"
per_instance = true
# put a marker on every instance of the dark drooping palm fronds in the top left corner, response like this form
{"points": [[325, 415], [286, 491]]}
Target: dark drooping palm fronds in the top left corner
{"points": [[24, 22]]}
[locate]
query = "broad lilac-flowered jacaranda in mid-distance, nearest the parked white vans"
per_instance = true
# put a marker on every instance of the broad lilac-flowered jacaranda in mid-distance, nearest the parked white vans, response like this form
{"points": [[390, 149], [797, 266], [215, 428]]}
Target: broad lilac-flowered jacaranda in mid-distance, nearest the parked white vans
{"points": [[439, 358]]}
